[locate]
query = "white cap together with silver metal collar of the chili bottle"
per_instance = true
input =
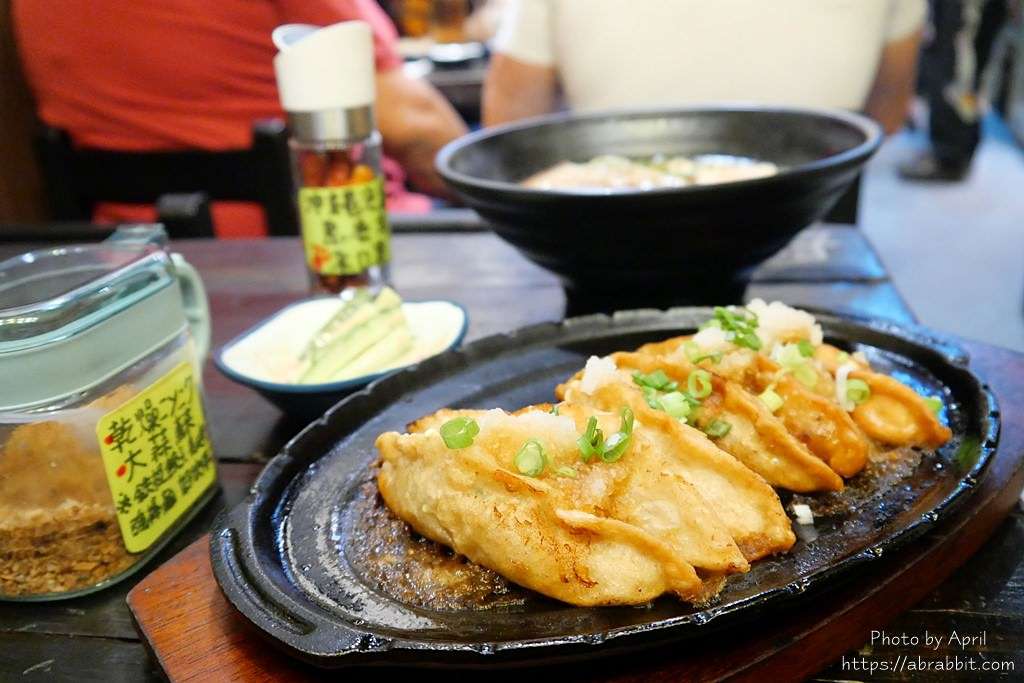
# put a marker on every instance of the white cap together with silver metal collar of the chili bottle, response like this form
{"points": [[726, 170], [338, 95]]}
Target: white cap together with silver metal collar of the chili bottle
{"points": [[326, 80]]}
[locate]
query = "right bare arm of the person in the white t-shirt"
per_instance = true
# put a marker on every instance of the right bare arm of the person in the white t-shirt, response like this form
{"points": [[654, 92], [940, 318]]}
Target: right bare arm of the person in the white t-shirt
{"points": [[889, 101]]}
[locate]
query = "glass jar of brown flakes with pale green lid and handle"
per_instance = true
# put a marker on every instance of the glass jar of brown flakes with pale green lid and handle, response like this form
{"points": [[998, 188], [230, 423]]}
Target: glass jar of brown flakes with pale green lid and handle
{"points": [[105, 455]]}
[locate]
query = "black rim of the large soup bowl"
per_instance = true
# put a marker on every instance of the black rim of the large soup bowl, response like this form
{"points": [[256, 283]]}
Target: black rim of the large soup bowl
{"points": [[871, 130]]}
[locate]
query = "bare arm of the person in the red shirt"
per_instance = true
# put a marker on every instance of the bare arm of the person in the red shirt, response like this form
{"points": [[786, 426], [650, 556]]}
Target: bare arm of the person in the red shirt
{"points": [[416, 121]]}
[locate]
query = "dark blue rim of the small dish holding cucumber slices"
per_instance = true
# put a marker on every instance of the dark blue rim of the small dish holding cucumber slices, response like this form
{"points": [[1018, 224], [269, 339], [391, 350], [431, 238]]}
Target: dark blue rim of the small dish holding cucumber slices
{"points": [[326, 388]]}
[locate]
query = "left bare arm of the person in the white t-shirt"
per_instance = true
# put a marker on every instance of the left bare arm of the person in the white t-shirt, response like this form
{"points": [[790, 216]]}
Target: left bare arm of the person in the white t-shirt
{"points": [[517, 90]]}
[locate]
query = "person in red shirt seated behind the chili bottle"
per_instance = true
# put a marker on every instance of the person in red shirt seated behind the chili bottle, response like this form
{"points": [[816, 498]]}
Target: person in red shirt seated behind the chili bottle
{"points": [[139, 75]]}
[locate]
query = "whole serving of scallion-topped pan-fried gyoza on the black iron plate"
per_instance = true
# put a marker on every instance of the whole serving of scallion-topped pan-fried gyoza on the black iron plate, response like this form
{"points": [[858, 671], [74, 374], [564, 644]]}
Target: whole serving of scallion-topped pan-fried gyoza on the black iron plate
{"points": [[655, 474]]}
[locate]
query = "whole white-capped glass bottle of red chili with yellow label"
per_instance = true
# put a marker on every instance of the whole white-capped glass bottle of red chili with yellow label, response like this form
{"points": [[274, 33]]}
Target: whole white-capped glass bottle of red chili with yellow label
{"points": [[326, 82]]}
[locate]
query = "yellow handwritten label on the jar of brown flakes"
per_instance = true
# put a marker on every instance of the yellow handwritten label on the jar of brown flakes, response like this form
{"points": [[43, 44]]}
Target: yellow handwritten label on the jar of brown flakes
{"points": [[157, 456]]}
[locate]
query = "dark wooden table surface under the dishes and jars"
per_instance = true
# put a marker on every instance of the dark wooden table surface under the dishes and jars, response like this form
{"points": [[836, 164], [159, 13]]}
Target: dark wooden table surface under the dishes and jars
{"points": [[93, 638]]}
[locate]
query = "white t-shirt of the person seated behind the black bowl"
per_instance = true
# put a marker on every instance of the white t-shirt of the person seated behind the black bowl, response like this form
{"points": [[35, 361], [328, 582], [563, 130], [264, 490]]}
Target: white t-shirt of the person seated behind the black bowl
{"points": [[614, 54]]}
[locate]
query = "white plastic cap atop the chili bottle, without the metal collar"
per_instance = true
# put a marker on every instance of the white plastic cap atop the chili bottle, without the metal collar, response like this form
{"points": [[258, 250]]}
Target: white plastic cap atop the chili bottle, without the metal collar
{"points": [[325, 69]]}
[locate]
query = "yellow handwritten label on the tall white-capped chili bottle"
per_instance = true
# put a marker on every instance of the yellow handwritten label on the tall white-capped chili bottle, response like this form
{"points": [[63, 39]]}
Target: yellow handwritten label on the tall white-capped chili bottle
{"points": [[345, 230]]}
